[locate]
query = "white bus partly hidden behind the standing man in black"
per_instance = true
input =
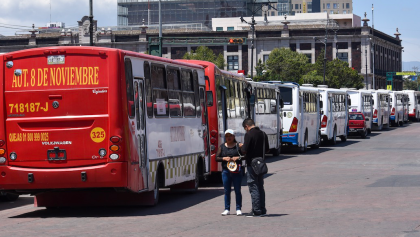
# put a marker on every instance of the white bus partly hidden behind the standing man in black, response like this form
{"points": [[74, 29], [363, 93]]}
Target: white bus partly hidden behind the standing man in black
{"points": [[267, 113]]}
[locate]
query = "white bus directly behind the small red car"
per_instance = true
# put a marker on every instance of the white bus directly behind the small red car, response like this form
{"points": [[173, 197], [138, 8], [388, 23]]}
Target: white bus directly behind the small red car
{"points": [[361, 101]]}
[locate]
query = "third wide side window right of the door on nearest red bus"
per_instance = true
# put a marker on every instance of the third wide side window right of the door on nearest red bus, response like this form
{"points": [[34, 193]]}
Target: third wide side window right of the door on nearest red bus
{"points": [[188, 94]]}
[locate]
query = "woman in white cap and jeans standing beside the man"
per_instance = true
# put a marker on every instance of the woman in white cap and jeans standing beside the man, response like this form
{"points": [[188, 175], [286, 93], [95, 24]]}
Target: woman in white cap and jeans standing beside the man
{"points": [[228, 154]]}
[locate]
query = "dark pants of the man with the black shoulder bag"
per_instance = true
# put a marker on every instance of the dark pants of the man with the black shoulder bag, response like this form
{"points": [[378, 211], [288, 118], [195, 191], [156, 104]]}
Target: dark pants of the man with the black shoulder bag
{"points": [[256, 189]]}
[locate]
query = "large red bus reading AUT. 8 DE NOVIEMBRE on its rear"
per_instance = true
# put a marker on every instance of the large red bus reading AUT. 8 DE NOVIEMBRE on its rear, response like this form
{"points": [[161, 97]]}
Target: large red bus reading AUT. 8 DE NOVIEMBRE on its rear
{"points": [[86, 122]]}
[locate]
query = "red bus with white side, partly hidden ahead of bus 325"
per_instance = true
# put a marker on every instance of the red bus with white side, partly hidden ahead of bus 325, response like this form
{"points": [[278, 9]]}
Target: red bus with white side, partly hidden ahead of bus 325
{"points": [[231, 94]]}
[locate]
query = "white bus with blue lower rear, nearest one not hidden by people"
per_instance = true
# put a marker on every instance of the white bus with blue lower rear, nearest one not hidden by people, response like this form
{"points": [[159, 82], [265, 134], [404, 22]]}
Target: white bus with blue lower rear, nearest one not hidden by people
{"points": [[301, 116]]}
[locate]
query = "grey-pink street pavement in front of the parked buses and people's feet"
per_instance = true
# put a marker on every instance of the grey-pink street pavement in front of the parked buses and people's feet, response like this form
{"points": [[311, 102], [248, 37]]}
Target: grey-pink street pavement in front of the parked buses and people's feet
{"points": [[362, 187]]}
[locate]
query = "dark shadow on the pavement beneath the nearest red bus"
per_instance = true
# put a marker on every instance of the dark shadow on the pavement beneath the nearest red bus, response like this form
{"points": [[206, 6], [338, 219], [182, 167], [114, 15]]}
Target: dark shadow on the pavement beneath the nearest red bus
{"points": [[169, 202]]}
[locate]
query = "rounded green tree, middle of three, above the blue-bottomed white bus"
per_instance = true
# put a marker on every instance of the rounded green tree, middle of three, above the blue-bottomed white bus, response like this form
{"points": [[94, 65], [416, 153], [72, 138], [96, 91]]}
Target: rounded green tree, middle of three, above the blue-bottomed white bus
{"points": [[286, 65]]}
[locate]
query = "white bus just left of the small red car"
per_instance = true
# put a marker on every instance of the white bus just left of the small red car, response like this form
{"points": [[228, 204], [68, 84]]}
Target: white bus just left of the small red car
{"points": [[334, 113]]}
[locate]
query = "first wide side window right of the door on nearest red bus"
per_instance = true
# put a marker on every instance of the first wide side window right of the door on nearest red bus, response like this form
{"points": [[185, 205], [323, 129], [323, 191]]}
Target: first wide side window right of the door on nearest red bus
{"points": [[160, 93]]}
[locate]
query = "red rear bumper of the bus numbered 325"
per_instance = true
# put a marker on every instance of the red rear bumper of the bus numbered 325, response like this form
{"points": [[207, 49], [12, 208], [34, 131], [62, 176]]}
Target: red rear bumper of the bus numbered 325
{"points": [[99, 176]]}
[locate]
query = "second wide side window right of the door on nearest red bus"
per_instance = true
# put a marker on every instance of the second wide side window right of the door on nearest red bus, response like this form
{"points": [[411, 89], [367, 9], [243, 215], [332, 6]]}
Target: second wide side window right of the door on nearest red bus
{"points": [[174, 92]]}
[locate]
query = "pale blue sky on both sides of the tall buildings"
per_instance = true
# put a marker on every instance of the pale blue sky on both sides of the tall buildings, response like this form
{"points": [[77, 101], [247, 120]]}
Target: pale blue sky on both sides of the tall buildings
{"points": [[388, 15]]}
